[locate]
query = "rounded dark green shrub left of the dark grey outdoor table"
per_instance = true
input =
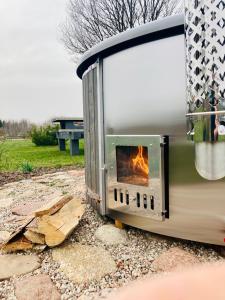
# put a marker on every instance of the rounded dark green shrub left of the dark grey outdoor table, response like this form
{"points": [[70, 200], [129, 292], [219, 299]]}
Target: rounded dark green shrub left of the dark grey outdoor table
{"points": [[44, 135]]}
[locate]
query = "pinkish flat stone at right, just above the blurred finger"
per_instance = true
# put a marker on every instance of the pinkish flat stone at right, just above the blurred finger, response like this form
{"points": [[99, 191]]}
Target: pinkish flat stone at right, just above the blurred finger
{"points": [[172, 259]]}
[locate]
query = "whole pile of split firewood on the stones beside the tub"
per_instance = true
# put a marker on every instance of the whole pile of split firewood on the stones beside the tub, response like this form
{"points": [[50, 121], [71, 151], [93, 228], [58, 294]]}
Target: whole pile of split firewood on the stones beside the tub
{"points": [[48, 226]]}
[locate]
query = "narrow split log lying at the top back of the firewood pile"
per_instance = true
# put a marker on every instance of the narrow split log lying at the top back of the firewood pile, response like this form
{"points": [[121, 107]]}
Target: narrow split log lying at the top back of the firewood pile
{"points": [[53, 206]]}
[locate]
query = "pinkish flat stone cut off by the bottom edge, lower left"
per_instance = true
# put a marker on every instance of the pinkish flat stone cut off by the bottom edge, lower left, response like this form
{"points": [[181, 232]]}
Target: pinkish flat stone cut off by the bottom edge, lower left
{"points": [[38, 287]]}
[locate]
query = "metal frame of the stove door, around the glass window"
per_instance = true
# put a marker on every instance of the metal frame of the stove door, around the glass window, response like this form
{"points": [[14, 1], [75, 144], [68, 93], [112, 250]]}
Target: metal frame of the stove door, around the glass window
{"points": [[156, 190]]}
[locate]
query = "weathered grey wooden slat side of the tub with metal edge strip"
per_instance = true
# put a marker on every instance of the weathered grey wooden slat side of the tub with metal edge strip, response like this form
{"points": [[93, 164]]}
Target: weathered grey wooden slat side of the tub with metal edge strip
{"points": [[94, 137]]}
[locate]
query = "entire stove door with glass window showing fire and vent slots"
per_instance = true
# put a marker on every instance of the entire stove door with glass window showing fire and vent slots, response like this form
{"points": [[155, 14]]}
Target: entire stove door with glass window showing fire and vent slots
{"points": [[136, 180]]}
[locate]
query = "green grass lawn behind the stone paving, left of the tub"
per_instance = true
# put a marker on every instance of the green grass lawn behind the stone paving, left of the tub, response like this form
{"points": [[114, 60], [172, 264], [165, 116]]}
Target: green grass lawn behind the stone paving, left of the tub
{"points": [[17, 152]]}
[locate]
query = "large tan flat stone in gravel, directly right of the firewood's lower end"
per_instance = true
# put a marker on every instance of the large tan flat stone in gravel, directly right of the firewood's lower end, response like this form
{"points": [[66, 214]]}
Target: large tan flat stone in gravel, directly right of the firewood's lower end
{"points": [[81, 263]]}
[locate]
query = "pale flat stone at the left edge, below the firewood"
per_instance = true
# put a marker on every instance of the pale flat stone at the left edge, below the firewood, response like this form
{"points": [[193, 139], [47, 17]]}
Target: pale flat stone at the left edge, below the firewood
{"points": [[13, 265]]}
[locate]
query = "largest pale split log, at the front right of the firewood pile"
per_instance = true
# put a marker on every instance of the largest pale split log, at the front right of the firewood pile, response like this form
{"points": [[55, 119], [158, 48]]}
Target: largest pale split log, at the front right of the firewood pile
{"points": [[56, 228]]}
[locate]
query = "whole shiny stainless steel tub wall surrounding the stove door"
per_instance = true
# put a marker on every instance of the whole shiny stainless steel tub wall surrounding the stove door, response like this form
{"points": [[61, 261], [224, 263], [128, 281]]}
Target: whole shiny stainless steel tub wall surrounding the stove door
{"points": [[148, 96]]}
